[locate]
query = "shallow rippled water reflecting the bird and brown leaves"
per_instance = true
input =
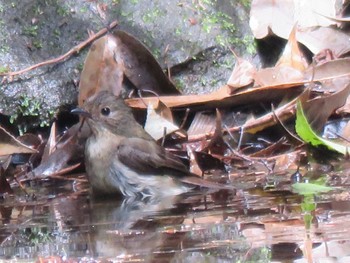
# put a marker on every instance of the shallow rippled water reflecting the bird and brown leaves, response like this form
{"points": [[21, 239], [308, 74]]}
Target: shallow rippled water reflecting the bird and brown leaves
{"points": [[61, 222]]}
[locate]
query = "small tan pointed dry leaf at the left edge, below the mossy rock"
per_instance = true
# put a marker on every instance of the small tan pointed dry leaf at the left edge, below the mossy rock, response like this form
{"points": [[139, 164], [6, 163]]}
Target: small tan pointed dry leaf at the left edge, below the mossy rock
{"points": [[10, 145]]}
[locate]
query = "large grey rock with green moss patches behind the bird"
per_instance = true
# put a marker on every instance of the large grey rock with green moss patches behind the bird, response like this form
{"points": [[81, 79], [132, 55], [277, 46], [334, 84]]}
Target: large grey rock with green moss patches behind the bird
{"points": [[191, 36]]}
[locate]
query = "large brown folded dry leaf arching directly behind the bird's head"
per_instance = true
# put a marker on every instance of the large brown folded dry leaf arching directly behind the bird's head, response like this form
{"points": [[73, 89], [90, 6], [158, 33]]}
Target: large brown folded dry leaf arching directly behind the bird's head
{"points": [[117, 59]]}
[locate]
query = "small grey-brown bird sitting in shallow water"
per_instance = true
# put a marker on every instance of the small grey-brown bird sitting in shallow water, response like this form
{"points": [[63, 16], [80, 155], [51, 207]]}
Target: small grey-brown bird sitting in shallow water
{"points": [[121, 157]]}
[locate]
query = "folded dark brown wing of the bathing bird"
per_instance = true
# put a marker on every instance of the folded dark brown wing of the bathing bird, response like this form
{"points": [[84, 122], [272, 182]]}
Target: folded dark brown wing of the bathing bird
{"points": [[147, 157]]}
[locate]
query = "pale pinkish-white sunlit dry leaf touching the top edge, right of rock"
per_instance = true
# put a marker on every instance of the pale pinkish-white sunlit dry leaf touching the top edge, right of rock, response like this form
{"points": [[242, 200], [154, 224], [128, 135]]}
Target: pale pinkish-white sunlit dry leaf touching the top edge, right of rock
{"points": [[279, 16]]}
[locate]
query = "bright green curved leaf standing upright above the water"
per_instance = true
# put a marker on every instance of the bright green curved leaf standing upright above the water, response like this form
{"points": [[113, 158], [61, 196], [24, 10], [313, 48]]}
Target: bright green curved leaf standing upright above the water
{"points": [[306, 133]]}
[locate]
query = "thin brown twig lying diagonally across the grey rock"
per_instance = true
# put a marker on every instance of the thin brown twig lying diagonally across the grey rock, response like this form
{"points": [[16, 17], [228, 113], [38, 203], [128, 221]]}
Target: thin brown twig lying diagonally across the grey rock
{"points": [[63, 57]]}
